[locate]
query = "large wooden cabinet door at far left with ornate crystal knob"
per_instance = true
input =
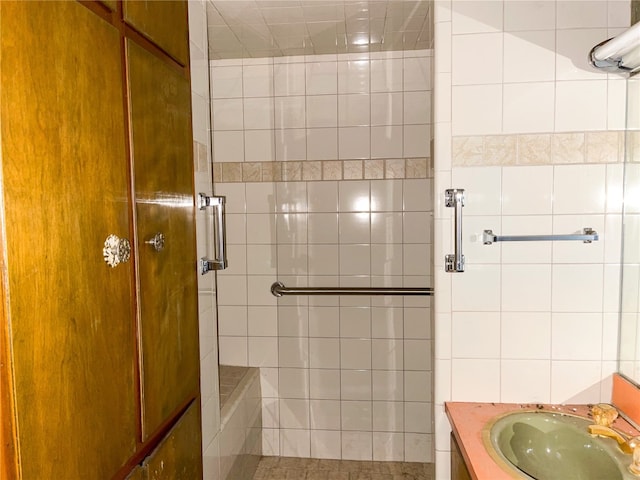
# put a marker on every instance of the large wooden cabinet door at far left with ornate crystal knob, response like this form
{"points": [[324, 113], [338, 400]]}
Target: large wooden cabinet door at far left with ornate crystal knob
{"points": [[64, 165]]}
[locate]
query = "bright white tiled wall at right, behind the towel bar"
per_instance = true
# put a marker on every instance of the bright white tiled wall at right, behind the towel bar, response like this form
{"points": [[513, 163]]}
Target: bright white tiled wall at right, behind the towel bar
{"points": [[524, 301]]}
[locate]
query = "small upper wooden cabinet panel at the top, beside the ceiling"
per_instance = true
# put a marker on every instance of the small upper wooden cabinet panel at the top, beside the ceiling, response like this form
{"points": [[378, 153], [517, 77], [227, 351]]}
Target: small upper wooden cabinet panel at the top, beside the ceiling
{"points": [[164, 23]]}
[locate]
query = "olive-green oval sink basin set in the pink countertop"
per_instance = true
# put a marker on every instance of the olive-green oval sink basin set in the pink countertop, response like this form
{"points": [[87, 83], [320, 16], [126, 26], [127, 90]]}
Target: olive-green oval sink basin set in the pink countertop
{"points": [[553, 446]]}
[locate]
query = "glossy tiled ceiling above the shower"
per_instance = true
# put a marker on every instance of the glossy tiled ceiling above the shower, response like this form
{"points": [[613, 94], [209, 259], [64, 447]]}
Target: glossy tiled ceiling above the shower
{"points": [[274, 28]]}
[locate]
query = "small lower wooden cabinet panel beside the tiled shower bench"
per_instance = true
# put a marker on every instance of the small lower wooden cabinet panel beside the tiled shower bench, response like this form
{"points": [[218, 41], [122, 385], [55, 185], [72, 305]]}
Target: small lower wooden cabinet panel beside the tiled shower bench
{"points": [[179, 455]]}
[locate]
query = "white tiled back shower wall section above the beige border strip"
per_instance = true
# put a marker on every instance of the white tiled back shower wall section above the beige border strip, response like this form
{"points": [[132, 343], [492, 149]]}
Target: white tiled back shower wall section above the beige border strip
{"points": [[322, 107]]}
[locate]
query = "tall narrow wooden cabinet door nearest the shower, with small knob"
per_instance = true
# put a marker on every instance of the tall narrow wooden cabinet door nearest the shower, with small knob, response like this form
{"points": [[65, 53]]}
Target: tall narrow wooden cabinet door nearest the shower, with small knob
{"points": [[160, 119]]}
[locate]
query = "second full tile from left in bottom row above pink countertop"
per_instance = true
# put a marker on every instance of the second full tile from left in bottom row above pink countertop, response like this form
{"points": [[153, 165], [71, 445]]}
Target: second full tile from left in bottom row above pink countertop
{"points": [[518, 388]]}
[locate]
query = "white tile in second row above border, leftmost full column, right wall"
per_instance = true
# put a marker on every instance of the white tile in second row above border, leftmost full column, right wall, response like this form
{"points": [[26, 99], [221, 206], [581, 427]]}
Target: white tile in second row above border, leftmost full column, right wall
{"points": [[475, 60]]}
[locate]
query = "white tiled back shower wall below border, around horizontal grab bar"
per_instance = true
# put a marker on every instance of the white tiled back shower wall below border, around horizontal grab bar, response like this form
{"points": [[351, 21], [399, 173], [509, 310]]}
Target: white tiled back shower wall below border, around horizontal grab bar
{"points": [[338, 363]]}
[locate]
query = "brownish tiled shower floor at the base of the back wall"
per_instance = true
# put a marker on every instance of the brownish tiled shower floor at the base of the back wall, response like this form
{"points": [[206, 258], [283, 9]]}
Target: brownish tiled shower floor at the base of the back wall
{"points": [[287, 468]]}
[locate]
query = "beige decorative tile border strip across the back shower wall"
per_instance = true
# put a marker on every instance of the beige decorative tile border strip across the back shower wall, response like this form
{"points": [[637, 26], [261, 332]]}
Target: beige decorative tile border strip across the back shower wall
{"points": [[292, 171]]}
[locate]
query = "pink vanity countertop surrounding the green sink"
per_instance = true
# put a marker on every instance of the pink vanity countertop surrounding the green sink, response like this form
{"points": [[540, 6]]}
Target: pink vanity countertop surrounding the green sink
{"points": [[469, 419]]}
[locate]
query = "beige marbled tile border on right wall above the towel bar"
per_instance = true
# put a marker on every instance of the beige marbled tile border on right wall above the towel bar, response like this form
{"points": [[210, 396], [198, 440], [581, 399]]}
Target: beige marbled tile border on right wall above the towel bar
{"points": [[539, 149]]}
